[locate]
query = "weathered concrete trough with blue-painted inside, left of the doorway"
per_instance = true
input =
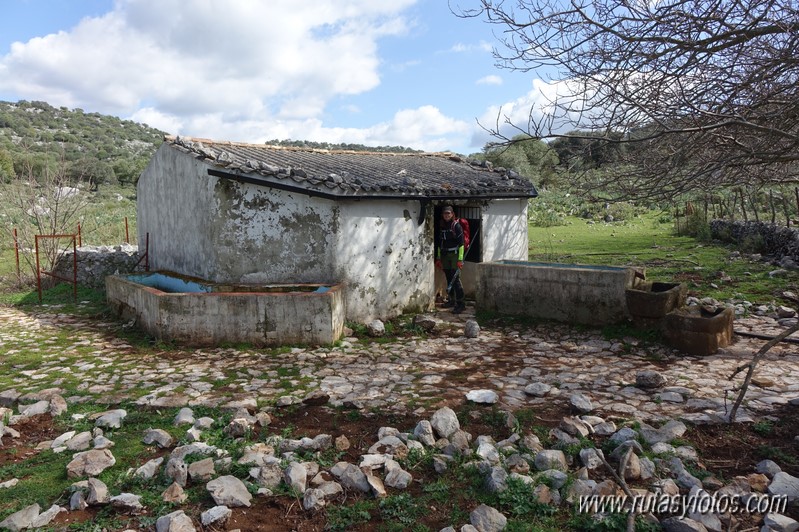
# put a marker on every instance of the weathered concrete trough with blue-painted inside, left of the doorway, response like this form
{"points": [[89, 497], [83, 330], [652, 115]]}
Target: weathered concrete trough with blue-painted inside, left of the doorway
{"points": [[196, 312]]}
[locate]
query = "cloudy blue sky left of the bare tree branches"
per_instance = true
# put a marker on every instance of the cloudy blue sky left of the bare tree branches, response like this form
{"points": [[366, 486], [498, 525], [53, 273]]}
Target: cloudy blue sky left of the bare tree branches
{"points": [[374, 72]]}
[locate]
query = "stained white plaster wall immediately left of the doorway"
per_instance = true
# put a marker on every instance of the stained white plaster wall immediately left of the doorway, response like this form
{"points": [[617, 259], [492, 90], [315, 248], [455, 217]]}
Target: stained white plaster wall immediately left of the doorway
{"points": [[385, 259]]}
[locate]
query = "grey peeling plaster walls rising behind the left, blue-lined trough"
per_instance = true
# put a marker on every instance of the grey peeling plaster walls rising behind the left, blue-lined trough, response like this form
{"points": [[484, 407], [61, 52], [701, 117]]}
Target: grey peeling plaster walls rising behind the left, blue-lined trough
{"points": [[225, 231]]}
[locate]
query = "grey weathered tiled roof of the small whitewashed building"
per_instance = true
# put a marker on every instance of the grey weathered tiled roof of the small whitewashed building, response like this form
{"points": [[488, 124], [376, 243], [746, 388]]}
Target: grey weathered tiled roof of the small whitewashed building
{"points": [[359, 174]]}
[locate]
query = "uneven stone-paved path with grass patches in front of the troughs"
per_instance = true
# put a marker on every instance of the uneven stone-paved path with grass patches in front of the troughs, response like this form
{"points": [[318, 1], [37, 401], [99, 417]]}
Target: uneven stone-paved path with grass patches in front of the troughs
{"points": [[415, 374]]}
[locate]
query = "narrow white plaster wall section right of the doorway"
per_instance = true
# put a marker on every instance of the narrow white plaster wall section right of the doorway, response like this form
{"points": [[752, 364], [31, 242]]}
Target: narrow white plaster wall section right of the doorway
{"points": [[504, 230]]}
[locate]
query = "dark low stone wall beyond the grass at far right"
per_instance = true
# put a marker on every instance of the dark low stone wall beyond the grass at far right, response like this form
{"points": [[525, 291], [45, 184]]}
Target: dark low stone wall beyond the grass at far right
{"points": [[774, 240]]}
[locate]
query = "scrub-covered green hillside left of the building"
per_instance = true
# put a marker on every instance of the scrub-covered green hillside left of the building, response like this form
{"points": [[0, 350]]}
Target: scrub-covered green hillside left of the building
{"points": [[36, 138]]}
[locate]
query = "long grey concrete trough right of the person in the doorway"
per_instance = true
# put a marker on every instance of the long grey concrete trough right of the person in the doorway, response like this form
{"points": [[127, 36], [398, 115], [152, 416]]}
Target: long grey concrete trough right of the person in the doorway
{"points": [[571, 293]]}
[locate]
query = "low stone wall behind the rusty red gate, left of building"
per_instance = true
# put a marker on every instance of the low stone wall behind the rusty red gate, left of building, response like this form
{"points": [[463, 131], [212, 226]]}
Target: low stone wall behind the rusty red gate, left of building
{"points": [[97, 262]]}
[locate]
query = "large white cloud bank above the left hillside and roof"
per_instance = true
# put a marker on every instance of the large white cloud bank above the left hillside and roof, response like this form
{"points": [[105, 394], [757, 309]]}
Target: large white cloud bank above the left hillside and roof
{"points": [[186, 66]]}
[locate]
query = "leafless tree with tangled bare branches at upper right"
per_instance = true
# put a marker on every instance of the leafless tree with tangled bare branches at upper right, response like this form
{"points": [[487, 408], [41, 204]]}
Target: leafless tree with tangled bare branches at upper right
{"points": [[705, 92]]}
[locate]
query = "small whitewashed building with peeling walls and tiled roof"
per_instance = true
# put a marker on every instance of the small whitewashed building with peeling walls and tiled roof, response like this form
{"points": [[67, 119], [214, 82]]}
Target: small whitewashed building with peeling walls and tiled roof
{"points": [[244, 213]]}
